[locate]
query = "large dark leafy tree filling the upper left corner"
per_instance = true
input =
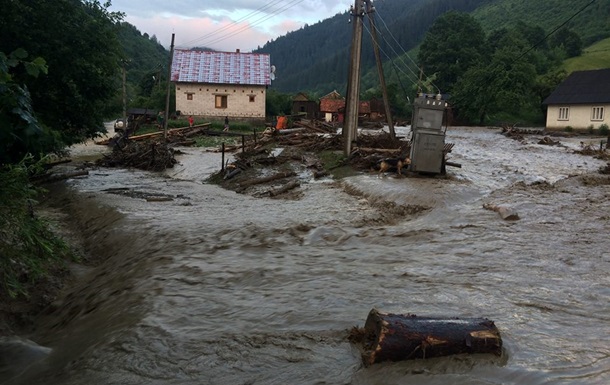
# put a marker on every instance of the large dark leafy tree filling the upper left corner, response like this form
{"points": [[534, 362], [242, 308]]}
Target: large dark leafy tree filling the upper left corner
{"points": [[77, 39]]}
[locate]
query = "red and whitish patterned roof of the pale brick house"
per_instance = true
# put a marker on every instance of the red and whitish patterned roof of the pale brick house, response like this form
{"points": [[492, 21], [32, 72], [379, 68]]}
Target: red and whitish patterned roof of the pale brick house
{"points": [[221, 67]]}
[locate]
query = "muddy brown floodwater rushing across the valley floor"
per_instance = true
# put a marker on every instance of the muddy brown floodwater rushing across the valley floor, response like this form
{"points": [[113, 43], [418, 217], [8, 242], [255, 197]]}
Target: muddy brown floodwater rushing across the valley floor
{"points": [[216, 287]]}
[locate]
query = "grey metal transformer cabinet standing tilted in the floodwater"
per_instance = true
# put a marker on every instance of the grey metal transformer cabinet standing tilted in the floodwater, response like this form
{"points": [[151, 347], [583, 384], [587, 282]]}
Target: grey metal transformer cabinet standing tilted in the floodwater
{"points": [[427, 135]]}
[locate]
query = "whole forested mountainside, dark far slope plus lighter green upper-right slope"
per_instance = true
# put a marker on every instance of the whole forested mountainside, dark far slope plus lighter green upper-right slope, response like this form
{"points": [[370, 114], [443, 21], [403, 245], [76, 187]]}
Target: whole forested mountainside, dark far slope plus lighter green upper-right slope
{"points": [[315, 59]]}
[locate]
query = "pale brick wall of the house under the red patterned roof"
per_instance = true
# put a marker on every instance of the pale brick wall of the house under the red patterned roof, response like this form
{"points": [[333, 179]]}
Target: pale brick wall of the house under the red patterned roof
{"points": [[203, 103]]}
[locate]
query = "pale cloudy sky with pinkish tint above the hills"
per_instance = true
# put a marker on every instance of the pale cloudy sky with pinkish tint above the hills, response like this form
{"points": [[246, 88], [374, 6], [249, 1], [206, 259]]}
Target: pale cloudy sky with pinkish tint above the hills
{"points": [[225, 25]]}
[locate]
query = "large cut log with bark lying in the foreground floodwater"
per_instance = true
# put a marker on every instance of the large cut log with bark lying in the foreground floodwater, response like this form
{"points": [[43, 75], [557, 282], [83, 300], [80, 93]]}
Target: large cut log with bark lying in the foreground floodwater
{"points": [[397, 337]]}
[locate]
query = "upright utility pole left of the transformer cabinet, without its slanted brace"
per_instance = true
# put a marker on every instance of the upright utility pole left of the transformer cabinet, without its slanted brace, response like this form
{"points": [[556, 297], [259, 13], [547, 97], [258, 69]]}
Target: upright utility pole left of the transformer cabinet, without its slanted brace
{"points": [[352, 102]]}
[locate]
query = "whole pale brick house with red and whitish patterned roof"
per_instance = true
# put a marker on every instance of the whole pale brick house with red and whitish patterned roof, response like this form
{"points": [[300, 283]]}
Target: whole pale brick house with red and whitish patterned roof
{"points": [[219, 84]]}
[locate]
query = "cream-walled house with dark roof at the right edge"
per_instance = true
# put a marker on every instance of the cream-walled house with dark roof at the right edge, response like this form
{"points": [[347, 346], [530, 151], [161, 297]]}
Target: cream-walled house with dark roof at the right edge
{"points": [[581, 101]]}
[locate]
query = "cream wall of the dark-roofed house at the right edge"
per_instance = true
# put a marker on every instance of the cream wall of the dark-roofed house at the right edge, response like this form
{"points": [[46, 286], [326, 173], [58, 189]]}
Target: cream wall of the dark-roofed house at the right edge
{"points": [[579, 117]]}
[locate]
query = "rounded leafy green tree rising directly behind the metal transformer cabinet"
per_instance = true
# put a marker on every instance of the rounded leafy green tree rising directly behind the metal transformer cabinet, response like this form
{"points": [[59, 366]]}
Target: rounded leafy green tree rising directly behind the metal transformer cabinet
{"points": [[452, 45]]}
